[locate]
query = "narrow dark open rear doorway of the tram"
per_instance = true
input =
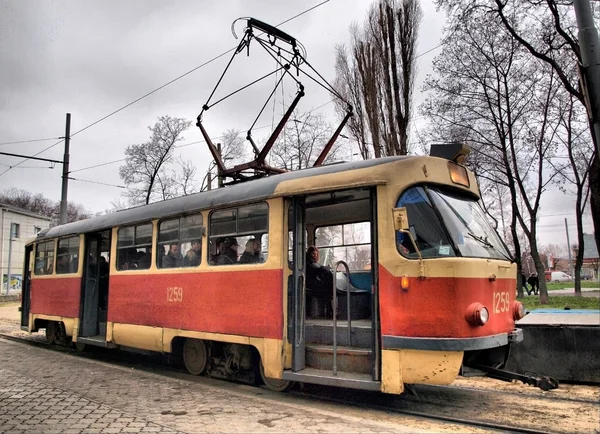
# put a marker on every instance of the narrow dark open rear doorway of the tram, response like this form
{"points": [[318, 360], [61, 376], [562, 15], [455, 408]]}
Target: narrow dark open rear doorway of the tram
{"points": [[94, 291]]}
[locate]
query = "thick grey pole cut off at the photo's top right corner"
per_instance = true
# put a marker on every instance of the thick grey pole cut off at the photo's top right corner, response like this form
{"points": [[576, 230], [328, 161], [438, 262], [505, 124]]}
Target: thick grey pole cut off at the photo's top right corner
{"points": [[590, 62]]}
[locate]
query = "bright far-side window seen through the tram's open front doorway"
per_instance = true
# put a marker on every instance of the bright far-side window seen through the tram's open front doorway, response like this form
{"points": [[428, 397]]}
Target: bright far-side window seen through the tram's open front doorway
{"points": [[350, 243]]}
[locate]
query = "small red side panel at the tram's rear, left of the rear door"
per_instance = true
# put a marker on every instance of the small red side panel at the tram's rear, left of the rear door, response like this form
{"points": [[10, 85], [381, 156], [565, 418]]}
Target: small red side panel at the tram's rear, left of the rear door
{"points": [[58, 296]]}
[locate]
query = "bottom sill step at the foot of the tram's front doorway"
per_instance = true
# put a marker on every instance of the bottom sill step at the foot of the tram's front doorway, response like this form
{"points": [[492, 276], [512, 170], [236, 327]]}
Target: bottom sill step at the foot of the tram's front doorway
{"points": [[342, 379]]}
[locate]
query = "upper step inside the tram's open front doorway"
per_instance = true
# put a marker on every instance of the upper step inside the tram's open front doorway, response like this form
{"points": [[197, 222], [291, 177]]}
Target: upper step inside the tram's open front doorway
{"points": [[321, 332]]}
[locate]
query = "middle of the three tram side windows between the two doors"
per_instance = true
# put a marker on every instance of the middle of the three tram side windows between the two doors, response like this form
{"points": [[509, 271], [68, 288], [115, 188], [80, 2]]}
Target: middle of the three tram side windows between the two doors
{"points": [[180, 242]]}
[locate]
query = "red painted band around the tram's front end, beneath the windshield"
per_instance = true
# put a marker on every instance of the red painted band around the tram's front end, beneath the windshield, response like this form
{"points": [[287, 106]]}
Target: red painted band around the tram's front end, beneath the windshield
{"points": [[436, 306]]}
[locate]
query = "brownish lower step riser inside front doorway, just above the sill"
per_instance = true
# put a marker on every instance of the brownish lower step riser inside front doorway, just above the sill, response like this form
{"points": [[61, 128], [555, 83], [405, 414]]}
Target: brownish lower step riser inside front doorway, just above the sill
{"points": [[349, 359]]}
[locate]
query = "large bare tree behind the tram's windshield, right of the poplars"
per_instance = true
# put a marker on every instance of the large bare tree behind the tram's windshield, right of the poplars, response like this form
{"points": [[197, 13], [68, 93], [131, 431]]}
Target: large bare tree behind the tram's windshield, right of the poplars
{"points": [[486, 84]]}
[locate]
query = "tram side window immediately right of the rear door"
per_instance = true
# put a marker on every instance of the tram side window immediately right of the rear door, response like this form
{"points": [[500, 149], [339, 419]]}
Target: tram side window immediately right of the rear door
{"points": [[134, 247]]}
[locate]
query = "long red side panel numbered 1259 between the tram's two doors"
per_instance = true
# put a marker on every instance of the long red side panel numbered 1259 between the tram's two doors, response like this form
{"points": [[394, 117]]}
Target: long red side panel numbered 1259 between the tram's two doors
{"points": [[245, 303]]}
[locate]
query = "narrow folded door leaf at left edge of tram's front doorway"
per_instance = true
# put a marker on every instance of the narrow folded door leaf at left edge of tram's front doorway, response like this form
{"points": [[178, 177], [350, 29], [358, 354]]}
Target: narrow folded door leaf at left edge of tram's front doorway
{"points": [[297, 287]]}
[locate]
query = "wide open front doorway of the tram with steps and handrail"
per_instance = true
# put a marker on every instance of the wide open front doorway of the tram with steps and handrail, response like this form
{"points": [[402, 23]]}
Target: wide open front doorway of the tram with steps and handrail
{"points": [[335, 346]]}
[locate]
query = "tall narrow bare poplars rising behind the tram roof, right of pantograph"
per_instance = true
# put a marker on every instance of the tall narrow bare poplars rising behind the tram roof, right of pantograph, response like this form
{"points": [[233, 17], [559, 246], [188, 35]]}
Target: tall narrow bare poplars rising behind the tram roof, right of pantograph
{"points": [[377, 76]]}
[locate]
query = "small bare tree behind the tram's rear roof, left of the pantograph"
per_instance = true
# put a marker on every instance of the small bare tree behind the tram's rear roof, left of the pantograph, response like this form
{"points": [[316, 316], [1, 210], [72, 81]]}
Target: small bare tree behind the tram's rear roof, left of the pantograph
{"points": [[144, 172]]}
